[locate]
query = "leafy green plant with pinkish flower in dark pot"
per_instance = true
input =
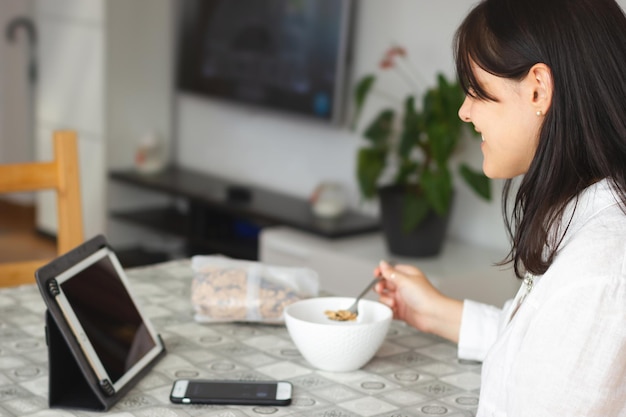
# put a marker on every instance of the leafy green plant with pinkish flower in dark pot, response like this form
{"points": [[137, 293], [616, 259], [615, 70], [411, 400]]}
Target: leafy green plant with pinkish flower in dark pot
{"points": [[407, 159]]}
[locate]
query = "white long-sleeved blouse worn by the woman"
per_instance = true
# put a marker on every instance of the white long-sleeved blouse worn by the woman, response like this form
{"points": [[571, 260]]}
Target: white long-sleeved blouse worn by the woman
{"points": [[562, 352]]}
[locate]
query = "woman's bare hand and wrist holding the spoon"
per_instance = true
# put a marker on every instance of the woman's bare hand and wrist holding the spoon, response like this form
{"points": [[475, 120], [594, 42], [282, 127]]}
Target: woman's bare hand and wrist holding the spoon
{"points": [[413, 299]]}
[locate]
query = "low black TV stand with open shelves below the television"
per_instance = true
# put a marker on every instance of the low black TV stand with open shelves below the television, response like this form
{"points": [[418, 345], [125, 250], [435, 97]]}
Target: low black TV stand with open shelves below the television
{"points": [[224, 217]]}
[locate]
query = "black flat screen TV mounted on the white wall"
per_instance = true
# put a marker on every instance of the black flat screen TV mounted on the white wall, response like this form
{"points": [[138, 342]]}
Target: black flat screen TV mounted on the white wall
{"points": [[287, 55]]}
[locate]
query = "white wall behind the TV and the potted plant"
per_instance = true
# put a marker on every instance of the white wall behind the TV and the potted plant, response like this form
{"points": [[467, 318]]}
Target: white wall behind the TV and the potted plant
{"points": [[293, 155]]}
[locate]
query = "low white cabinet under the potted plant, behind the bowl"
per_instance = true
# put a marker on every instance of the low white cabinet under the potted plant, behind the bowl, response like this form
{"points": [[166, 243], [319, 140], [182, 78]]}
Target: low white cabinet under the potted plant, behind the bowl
{"points": [[345, 265]]}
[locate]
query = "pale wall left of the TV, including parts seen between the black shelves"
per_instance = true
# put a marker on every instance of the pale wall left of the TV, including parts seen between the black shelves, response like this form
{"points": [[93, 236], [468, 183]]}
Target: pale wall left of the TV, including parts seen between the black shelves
{"points": [[139, 79]]}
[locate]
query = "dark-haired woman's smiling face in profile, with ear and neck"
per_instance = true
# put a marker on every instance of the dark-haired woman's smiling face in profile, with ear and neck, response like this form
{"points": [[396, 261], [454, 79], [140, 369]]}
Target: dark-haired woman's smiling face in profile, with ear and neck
{"points": [[509, 126]]}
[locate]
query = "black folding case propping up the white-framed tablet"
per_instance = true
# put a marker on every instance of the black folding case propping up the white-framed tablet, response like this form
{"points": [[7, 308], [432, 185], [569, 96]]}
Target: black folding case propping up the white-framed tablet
{"points": [[72, 383]]}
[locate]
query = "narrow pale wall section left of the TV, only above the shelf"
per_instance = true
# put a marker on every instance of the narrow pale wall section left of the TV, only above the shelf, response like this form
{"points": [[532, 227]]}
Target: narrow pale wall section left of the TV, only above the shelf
{"points": [[139, 75]]}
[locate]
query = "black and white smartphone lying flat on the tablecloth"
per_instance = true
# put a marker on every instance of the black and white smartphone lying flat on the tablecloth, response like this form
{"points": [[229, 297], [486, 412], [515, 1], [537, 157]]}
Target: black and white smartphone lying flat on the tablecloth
{"points": [[204, 391]]}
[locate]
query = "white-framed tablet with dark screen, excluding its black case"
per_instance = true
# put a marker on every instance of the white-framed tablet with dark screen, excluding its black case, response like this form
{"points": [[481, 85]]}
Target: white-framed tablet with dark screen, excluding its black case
{"points": [[96, 301]]}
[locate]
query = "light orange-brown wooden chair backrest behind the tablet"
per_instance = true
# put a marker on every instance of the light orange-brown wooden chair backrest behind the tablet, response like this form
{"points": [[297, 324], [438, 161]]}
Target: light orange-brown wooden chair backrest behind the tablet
{"points": [[61, 175]]}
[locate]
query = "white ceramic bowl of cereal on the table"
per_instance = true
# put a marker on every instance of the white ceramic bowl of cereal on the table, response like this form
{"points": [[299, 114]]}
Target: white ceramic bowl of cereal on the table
{"points": [[337, 346]]}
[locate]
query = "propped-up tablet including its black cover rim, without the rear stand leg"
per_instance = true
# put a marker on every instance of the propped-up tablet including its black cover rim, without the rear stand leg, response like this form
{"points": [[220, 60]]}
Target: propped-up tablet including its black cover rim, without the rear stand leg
{"points": [[90, 290]]}
